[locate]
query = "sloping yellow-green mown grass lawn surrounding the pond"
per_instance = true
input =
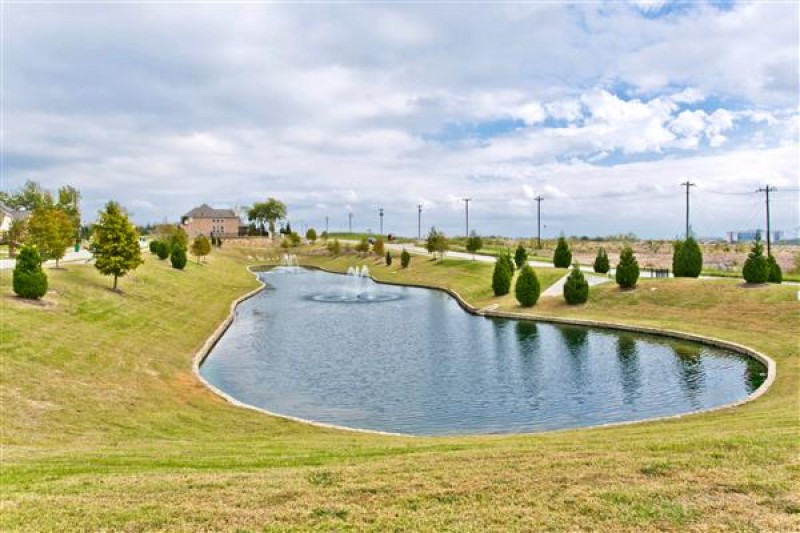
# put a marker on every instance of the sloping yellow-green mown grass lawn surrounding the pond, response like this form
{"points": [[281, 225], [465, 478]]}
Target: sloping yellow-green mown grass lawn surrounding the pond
{"points": [[104, 425]]}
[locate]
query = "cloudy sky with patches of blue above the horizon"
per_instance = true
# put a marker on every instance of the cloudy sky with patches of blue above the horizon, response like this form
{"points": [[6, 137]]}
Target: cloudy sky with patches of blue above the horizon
{"points": [[602, 109]]}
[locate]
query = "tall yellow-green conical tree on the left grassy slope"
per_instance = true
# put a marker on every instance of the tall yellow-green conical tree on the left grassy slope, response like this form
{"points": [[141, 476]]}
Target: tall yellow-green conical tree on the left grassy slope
{"points": [[115, 243]]}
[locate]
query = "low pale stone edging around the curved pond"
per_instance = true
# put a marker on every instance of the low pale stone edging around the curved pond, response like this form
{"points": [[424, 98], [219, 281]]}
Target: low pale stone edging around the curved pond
{"points": [[767, 361]]}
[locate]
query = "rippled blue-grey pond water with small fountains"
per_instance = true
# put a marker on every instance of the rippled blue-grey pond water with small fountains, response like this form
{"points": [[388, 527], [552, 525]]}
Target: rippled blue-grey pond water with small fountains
{"points": [[344, 350]]}
